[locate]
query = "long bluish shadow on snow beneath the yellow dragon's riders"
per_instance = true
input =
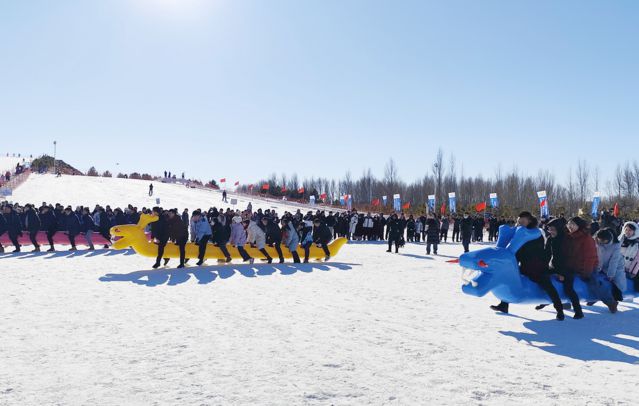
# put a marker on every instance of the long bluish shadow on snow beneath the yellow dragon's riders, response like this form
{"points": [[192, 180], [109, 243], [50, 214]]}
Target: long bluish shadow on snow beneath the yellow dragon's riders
{"points": [[208, 274]]}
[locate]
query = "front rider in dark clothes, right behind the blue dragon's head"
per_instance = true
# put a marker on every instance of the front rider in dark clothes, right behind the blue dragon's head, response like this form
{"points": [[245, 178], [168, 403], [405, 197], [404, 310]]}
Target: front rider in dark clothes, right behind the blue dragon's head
{"points": [[533, 263]]}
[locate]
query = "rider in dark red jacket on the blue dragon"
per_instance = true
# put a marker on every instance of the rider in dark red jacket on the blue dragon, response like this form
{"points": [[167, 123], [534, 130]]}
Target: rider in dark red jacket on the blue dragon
{"points": [[581, 258]]}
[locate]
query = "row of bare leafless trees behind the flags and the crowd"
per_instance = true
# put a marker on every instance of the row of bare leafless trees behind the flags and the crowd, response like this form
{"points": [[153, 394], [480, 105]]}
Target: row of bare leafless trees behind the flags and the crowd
{"points": [[516, 190]]}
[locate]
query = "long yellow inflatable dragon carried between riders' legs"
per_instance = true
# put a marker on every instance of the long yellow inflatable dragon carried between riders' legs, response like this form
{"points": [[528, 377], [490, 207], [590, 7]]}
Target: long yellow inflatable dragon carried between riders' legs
{"points": [[132, 235]]}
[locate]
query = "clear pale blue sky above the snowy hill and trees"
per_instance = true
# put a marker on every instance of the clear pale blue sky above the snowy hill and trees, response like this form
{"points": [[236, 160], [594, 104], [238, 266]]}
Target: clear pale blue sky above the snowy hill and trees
{"points": [[241, 89]]}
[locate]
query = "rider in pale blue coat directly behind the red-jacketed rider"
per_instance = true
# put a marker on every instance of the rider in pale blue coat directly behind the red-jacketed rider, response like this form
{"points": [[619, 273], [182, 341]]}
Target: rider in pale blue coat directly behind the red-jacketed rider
{"points": [[611, 261]]}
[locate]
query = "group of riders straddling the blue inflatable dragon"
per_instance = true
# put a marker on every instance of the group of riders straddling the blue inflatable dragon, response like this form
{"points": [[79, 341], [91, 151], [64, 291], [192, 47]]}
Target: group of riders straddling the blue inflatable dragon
{"points": [[605, 258]]}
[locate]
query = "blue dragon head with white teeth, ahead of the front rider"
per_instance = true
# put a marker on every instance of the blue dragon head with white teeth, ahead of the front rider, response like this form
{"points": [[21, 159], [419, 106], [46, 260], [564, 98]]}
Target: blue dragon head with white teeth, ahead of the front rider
{"points": [[496, 269]]}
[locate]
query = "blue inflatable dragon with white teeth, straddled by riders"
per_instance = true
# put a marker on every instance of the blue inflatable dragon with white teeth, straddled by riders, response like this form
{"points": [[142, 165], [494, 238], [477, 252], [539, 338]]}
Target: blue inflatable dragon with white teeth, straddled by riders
{"points": [[496, 270]]}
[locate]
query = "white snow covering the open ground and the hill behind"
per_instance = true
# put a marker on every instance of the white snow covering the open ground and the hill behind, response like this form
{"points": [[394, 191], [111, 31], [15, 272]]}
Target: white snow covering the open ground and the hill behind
{"points": [[368, 327]]}
